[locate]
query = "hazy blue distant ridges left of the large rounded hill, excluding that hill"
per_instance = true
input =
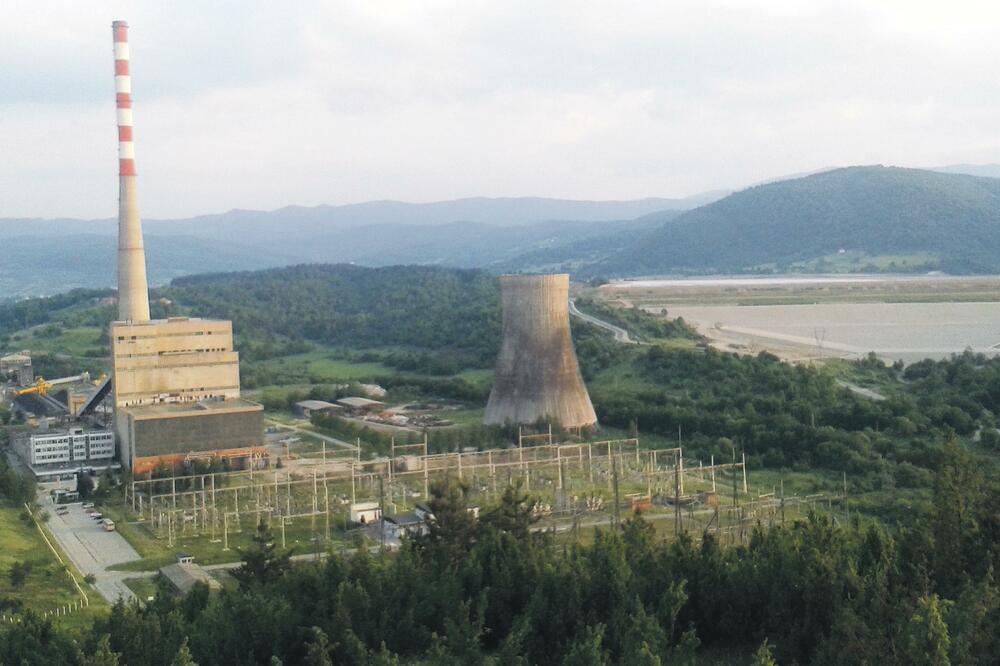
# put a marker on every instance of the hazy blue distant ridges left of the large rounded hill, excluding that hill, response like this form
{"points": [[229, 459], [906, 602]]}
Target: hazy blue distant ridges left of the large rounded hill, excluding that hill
{"points": [[48, 256]]}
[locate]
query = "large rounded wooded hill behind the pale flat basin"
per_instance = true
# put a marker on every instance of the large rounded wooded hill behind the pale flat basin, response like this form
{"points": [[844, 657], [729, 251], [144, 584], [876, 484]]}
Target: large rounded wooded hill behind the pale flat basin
{"points": [[919, 219]]}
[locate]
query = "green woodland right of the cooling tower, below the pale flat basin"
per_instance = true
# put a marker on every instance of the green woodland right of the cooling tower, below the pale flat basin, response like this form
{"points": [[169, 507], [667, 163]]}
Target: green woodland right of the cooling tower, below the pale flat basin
{"points": [[795, 416]]}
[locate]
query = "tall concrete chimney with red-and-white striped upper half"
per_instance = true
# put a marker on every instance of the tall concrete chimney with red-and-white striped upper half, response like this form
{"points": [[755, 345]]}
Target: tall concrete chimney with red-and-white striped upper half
{"points": [[133, 291]]}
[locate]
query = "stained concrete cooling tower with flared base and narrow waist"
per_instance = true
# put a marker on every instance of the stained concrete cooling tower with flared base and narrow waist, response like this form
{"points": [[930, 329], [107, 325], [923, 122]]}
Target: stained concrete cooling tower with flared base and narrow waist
{"points": [[537, 376]]}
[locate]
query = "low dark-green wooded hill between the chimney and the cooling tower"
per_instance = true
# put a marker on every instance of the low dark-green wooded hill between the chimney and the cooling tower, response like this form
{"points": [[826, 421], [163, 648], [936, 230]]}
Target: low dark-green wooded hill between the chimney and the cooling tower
{"points": [[412, 306]]}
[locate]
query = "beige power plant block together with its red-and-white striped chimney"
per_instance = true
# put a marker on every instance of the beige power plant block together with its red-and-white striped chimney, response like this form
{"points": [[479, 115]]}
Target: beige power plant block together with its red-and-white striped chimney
{"points": [[175, 382]]}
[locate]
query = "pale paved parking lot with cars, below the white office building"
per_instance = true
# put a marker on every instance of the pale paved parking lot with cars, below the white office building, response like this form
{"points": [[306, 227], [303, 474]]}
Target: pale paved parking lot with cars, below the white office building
{"points": [[92, 549]]}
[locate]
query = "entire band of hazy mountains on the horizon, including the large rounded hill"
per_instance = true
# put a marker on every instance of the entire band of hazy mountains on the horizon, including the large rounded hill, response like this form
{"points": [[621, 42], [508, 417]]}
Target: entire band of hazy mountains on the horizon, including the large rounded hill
{"points": [[840, 220]]}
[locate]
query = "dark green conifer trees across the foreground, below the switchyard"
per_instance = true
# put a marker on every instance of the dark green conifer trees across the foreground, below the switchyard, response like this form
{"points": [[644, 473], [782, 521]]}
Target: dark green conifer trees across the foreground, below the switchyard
{"points": [[492, 591]]}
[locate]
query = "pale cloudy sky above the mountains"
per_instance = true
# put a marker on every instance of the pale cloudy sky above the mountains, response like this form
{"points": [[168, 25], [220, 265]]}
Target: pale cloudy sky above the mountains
{"points": [[243, 104]]}
